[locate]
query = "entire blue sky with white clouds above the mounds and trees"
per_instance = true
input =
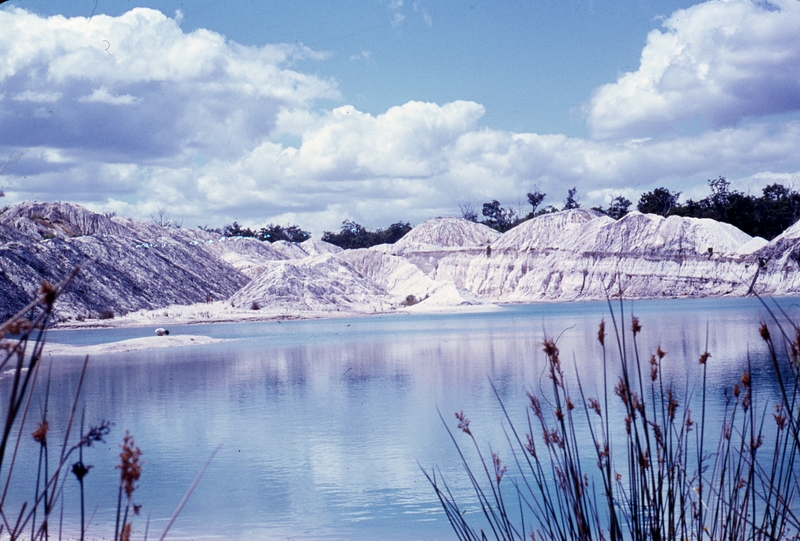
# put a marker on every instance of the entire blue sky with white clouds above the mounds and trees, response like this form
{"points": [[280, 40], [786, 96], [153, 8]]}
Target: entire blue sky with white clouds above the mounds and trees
{"points": [[314, 112]]}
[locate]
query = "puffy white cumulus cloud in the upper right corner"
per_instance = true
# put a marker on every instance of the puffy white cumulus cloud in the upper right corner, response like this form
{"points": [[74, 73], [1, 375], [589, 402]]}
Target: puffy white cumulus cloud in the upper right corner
{"points": [[720, 61]]}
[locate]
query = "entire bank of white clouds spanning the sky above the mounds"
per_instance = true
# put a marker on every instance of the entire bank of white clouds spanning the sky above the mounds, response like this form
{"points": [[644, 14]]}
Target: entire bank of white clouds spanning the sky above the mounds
{"points": [[132, 114]]}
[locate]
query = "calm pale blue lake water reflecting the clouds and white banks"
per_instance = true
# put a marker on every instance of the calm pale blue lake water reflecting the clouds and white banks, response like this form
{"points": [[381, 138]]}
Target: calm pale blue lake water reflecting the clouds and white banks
{"points": [[322, 426]]}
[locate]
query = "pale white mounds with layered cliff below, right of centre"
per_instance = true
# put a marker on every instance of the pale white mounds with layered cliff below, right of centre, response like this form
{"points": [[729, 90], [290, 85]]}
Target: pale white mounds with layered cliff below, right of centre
{"points": [[578, 254]]}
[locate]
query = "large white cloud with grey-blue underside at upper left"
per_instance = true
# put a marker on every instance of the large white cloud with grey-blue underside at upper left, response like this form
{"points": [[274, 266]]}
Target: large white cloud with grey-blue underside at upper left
{"points": [[183, 92]]}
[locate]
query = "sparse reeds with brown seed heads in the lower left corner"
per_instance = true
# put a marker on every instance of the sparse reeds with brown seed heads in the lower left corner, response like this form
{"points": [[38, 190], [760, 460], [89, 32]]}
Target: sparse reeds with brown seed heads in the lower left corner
{"points": [[42, 517]]}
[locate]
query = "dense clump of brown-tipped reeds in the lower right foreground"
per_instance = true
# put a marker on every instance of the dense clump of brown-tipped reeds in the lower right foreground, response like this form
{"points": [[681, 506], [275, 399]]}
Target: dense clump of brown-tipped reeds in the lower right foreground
{"points": [[653, 471]]}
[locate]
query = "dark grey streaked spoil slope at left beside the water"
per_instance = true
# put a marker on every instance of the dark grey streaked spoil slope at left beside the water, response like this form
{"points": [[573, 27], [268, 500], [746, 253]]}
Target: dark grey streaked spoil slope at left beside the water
{"points": [[125, 265]]}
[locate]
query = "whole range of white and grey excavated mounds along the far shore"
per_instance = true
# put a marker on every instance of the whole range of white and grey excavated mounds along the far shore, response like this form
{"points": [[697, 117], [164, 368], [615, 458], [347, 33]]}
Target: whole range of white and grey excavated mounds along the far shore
{"points": [[577, 254]]}
